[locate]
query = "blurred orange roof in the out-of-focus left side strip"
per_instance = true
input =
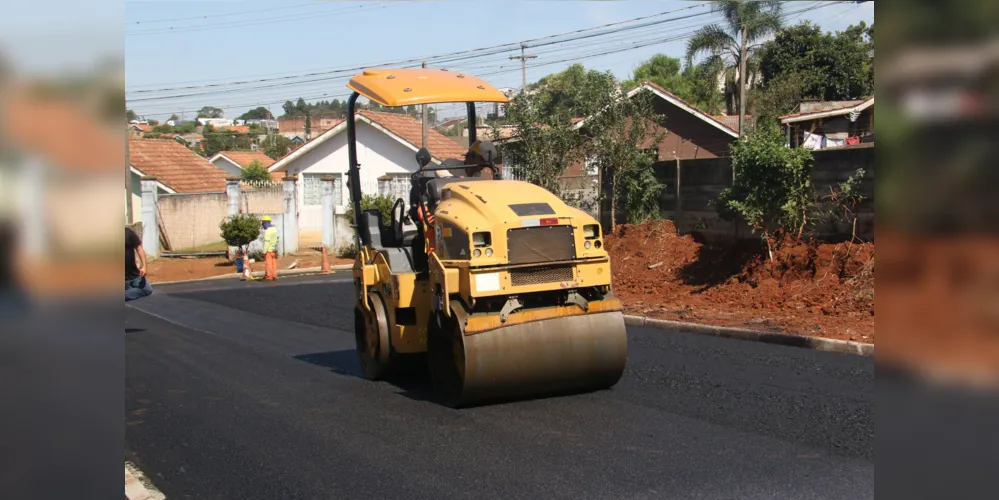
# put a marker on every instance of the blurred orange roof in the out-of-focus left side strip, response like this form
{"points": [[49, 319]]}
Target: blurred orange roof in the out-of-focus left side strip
{"points": [[58, 130]]}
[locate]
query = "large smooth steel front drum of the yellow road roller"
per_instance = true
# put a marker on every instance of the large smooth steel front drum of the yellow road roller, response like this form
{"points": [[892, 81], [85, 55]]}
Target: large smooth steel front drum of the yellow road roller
{"points": [[569, 354]]}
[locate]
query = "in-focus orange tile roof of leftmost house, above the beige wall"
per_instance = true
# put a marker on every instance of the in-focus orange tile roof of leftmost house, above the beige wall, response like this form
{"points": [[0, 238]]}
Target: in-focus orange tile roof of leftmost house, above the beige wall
{"points": [[176, 166]]}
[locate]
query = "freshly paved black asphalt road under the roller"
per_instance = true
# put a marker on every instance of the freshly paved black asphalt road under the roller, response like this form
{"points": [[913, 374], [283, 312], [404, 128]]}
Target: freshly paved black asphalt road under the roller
{"points": [[251, 390]]}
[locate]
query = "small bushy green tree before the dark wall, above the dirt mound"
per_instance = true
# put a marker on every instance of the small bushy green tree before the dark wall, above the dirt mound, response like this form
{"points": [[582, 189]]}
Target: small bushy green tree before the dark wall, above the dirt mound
{"points": [[772, 190]]}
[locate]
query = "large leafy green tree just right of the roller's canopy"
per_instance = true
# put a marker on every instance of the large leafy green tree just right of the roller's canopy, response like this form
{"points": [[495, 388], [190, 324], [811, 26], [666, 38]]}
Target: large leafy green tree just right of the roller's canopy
{"points": [[547, 144]]}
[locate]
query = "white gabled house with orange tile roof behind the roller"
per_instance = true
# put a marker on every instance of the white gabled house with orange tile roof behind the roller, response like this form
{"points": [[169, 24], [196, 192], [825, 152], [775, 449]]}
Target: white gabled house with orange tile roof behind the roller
{"points": [[386, 151]]}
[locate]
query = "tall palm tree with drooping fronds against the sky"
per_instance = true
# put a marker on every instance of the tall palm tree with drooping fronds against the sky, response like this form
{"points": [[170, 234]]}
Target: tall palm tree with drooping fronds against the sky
{"points": [[747, 22]]}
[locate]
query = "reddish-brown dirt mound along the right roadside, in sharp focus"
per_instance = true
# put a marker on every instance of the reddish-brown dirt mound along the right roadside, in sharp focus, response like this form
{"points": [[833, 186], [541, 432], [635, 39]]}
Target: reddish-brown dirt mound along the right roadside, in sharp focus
{"points": [[809, 288]]}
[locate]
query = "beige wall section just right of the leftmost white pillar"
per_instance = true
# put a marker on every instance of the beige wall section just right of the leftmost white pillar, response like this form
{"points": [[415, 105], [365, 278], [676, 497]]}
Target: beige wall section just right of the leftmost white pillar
{"points": [[192, 220]]}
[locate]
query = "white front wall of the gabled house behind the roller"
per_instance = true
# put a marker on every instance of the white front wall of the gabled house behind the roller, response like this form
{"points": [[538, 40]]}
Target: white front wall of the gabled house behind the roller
{"points": [[377, 153]]}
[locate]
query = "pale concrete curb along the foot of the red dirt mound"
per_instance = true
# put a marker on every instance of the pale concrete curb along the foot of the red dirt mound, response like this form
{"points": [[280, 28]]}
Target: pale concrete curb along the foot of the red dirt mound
{"points": [[816, 343]]}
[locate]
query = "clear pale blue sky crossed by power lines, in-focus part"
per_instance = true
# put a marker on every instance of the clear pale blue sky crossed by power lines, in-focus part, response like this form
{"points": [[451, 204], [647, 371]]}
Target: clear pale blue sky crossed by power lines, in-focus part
{"points": [[270, 39]]}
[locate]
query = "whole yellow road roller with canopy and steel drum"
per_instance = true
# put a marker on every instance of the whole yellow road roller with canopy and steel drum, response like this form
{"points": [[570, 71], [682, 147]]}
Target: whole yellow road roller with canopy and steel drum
{"points": [[502, 290]]}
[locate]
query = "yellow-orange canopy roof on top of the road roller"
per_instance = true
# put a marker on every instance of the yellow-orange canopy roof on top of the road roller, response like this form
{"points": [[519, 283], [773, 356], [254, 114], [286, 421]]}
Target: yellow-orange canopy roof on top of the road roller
{"points": [[406, 87]]}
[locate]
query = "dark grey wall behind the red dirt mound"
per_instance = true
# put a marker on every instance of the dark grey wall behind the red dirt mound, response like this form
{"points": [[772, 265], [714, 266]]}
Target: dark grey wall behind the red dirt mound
{"points": [[701, 181]]}
